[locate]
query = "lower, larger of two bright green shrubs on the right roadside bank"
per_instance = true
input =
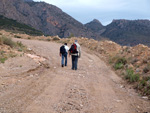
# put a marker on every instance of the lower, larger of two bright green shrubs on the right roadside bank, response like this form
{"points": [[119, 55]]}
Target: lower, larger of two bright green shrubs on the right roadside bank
{"points": [[131, 76]]}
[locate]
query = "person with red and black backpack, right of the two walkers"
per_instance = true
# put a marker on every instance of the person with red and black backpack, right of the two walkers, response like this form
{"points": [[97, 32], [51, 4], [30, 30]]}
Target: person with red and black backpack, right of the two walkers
{"points": [[75, 52]]}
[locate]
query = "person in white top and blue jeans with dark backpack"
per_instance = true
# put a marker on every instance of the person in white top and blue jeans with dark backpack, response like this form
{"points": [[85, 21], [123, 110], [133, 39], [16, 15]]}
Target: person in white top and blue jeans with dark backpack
{"points": [[63, 53]]}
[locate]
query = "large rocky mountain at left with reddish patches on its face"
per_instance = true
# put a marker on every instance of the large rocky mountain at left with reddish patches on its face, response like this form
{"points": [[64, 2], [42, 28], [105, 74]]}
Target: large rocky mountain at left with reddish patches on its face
{"points": [[45, 17]]}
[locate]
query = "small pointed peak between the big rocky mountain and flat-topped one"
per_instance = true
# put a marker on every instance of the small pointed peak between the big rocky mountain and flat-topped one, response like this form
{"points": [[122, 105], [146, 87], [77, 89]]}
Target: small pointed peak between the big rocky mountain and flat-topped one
{"points": [[95, 26]]}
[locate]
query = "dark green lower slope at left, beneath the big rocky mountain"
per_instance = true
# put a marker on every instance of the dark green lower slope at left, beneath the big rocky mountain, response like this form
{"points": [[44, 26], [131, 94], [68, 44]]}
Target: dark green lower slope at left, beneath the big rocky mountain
{"points": [[12, 25]]}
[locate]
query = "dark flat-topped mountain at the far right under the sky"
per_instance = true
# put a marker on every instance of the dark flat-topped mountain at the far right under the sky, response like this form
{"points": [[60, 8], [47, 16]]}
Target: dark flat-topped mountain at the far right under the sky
{"points": [[128, 32]]}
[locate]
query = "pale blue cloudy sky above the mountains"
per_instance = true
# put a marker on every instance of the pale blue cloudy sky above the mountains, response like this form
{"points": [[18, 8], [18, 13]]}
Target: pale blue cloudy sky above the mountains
{"points": [[103, 10]]}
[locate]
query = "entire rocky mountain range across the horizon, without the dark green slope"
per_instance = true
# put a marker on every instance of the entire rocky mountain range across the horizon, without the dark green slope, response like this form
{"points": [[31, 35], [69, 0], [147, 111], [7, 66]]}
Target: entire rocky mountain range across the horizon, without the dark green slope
{"points": [[53, 21]]}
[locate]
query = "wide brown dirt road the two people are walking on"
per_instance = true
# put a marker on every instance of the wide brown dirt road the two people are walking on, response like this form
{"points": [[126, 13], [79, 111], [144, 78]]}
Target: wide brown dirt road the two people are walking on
{"points": [[93, 88]]}
